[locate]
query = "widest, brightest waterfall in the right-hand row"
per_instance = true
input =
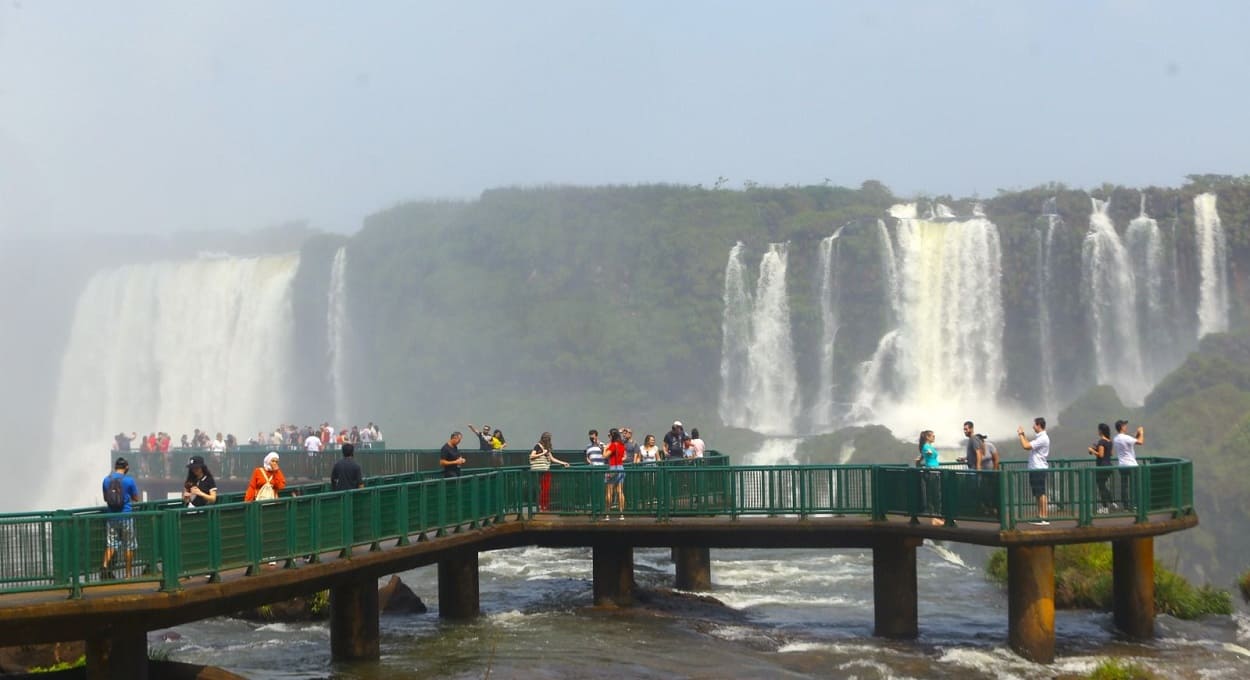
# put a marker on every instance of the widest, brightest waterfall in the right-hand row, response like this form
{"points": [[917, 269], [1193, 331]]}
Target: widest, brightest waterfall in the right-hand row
{"points": [[948, 352]]}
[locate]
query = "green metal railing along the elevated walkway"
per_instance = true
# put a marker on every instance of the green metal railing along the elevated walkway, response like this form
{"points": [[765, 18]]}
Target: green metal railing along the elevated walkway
{"points": [[64, 549]]}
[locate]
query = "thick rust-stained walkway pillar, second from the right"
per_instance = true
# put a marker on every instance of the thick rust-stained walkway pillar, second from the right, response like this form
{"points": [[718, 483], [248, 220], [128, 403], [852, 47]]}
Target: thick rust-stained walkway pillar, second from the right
{"points": [[1032, 602]]}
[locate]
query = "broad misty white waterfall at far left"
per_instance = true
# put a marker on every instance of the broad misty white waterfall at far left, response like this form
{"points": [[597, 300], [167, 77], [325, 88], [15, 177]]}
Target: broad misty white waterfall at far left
{"points": [[169, 347]]}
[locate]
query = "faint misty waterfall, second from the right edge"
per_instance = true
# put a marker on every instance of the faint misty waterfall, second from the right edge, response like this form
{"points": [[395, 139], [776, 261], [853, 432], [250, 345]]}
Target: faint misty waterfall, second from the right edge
{"points": [[1146, 246]]}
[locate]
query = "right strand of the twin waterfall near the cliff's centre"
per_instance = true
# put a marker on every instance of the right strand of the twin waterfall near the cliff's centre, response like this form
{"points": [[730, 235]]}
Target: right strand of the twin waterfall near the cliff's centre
{"points": [[773, 382]]}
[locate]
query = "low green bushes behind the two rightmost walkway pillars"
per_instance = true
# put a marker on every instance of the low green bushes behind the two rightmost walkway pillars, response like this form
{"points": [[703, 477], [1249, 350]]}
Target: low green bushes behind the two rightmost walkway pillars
{"points": [[1083, 581]]}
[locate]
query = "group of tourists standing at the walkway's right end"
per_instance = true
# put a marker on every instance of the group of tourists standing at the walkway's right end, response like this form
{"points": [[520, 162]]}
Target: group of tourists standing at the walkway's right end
{"points": [[982, 454]]}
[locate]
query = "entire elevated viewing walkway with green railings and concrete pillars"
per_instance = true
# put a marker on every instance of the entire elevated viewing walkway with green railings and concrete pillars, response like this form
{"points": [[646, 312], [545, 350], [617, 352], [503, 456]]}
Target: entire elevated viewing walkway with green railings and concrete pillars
{"points": [[214, 561]]}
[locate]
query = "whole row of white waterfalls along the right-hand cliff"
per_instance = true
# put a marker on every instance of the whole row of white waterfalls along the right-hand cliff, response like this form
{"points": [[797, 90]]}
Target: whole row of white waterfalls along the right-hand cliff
{"points": [[941, 357]]}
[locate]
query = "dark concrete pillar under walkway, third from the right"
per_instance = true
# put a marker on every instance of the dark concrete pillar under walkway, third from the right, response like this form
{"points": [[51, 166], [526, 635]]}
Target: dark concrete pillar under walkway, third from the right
{"points": [[894, 589]]}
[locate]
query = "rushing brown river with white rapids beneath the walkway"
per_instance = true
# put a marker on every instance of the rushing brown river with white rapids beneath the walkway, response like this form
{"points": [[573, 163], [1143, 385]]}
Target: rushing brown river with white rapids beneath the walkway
{"points": [[784, 614]]}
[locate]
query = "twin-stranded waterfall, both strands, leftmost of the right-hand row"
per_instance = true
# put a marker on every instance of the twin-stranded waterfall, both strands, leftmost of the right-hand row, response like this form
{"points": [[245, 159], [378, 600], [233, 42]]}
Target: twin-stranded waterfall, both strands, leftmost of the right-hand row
{"points": [[767, 388]]}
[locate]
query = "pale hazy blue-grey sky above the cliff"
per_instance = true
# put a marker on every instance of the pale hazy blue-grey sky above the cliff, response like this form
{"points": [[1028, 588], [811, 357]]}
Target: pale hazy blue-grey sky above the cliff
{"points": [[156, 117]]}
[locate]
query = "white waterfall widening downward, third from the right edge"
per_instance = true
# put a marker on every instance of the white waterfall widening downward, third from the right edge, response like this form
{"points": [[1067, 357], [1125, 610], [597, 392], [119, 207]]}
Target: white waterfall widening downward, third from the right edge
{"points": [[1108, 283]]}
